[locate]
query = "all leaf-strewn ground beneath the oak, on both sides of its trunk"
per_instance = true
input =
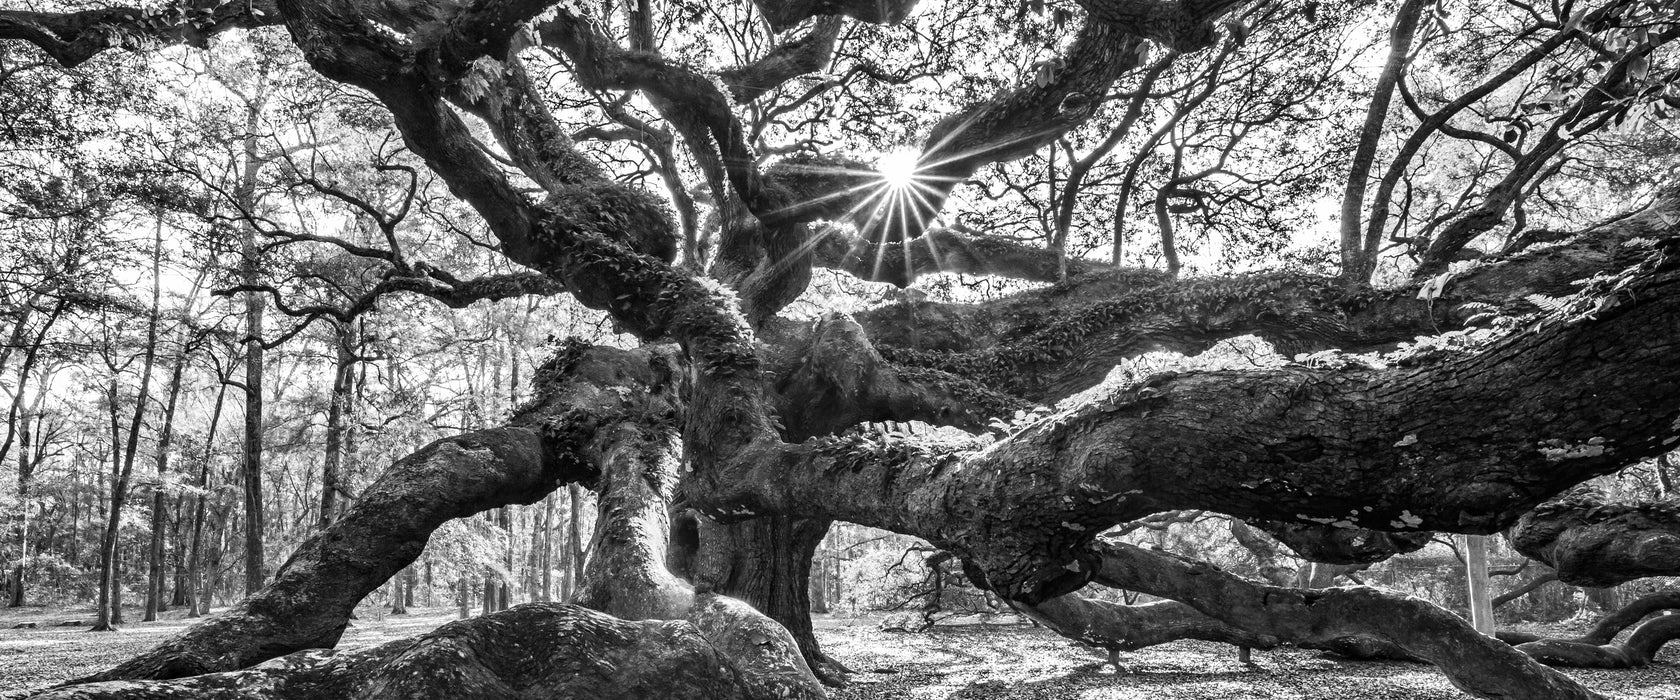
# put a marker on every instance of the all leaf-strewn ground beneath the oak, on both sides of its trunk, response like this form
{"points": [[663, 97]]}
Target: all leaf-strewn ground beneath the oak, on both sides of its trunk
{"points": [[974, 659]]}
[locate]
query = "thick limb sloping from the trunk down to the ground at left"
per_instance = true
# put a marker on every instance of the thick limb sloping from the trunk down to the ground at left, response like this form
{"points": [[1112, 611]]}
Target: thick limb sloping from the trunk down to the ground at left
{"points": [[312, 597]]}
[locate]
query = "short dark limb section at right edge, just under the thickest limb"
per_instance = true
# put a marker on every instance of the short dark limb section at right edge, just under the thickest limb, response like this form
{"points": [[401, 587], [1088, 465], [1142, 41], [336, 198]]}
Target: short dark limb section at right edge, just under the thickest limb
{"points": [[1597, 543]]}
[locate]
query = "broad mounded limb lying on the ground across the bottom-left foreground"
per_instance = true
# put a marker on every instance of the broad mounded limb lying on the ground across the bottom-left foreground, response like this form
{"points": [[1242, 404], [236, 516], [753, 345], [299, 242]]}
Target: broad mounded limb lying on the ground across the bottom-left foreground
{"points": [[538, 650]]}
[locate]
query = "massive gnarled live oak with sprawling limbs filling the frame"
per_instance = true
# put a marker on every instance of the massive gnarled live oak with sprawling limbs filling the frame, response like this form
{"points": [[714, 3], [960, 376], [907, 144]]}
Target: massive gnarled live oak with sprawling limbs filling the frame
{"points": [[725, 444]]}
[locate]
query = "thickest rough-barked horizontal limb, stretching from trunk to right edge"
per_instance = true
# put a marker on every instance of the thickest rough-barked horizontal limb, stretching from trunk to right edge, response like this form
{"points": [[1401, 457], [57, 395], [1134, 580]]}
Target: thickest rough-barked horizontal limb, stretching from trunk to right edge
{"points": [[1353, 447]]}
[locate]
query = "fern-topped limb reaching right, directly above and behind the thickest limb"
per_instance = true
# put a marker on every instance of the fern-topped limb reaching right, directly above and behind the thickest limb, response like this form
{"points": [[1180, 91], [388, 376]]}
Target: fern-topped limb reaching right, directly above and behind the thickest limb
{"points": [[1051, 343]]}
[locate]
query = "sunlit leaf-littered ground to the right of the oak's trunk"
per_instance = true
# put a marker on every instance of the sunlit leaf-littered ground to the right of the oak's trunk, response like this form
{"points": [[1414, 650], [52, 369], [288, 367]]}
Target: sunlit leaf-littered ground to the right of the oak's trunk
{"points": [[1014, 662]]}
